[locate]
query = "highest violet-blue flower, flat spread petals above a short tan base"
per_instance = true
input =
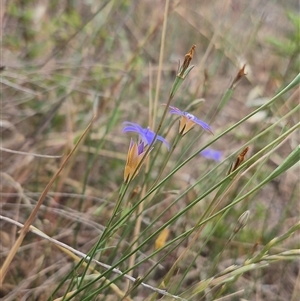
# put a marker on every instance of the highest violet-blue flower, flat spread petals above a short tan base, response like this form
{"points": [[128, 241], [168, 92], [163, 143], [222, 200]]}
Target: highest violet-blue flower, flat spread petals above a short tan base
{"points": [[188, 121]]}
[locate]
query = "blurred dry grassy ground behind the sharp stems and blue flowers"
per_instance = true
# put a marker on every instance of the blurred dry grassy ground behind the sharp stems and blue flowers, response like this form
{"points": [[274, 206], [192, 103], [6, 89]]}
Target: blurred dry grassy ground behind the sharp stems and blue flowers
{"points": [[63, 62]]}
